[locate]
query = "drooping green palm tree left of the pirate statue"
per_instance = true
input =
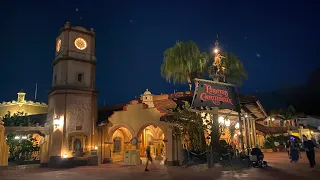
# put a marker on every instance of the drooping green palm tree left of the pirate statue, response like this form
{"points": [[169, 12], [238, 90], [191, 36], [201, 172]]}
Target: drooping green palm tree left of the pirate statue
{"points": [[183, 62]]}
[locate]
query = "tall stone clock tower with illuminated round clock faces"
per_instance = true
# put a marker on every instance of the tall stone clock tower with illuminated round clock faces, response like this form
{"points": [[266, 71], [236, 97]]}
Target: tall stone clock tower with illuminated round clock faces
{"points": [[72, 106]]}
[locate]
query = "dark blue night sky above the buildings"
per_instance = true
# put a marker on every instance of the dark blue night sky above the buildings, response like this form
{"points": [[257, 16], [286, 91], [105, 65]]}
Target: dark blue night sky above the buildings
{"points": [[277, 42]]}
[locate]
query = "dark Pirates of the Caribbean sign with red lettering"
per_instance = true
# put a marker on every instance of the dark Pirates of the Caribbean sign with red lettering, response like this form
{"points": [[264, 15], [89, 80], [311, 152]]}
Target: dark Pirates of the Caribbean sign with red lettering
{"points": [[213, 94]]}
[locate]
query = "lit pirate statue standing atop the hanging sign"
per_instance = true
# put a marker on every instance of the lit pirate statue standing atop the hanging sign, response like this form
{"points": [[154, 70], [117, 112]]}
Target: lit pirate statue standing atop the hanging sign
{"points": [[217, 70]]}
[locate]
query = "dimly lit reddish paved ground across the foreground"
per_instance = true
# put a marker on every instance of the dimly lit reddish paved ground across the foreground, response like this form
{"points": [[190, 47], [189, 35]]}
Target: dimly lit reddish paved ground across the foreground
{"points": [[280, 168]]}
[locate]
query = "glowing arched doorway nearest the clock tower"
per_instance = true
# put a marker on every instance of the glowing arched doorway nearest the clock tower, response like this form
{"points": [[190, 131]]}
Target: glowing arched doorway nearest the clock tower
{"points": [[120, 140]]}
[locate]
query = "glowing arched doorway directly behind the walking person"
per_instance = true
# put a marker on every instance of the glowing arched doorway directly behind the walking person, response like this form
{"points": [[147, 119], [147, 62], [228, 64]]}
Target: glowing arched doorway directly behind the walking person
{"points": [[152, 136]]}
